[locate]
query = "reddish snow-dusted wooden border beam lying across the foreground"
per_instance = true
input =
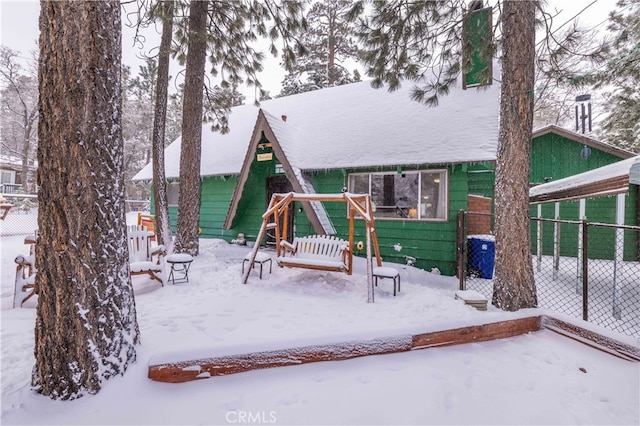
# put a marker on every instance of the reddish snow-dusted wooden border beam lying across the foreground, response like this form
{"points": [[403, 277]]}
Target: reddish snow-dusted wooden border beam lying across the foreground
{"points": [[177, 372]]}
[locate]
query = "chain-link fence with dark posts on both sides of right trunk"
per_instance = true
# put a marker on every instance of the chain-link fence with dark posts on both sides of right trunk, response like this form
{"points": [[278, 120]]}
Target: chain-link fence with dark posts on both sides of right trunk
{"points": [[586, 270]]}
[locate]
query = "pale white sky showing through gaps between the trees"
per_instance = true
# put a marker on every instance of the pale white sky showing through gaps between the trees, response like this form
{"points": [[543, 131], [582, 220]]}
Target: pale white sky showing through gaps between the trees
{"points": [[19, 23]]}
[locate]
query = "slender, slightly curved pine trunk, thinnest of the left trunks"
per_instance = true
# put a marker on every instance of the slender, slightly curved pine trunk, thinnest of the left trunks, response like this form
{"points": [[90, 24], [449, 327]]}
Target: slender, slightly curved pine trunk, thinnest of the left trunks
{"points": [[161, 207]]}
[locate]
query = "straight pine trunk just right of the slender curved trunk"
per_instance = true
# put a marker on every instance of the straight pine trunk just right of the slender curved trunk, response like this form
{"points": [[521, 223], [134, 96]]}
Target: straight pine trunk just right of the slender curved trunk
{"points": [[190, 153]]}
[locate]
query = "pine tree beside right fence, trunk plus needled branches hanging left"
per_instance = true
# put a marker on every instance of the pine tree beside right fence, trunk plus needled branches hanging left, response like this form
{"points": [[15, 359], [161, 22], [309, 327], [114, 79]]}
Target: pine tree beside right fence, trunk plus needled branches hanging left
{"points": [[422, 42]]}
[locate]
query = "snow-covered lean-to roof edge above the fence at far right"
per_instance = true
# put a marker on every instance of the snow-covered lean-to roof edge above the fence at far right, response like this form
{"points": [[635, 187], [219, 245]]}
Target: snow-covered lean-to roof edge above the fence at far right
{"points": [[608, 180]]}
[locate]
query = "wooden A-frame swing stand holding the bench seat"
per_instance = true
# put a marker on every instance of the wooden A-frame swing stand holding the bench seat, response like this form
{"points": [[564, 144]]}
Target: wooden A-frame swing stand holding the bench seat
{"points": [[359, 204]]}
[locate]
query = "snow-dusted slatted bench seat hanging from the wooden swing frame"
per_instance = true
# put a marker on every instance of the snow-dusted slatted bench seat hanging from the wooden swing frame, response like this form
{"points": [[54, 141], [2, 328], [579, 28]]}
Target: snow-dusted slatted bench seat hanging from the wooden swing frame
{"points": [[321, 252]]}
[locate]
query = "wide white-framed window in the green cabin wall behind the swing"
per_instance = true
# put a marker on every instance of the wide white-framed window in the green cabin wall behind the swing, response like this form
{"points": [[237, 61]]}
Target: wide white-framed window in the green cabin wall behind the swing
{"points": [[411, 195]]}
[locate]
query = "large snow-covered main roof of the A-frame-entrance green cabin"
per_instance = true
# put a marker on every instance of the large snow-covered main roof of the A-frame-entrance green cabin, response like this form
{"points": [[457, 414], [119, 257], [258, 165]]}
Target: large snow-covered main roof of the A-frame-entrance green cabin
{"points": [[356, 125]]}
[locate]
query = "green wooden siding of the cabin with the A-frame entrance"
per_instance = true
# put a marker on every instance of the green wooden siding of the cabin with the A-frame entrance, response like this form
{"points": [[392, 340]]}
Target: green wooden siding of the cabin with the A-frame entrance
{"points": [[431, 243]]}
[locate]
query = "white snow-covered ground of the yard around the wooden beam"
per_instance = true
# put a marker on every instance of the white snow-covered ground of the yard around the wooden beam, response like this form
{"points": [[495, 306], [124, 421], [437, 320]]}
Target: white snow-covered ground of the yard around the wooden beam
{"points": [[540, 378]]}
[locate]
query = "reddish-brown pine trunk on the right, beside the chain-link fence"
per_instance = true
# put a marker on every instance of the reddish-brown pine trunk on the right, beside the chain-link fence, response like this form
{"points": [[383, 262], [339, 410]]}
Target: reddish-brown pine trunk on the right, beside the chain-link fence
{"points": [[514, 286]]}
